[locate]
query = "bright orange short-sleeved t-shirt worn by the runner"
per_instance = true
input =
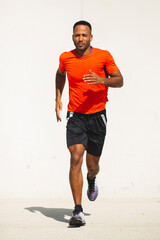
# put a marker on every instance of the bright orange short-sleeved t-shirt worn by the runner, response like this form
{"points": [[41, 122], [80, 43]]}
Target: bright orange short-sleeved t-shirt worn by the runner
{"points": [[84, 98]]}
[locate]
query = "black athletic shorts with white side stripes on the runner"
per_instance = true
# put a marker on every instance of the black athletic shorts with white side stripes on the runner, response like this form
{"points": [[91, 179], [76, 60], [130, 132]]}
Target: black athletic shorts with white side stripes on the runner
{"points": [[87, 129]]}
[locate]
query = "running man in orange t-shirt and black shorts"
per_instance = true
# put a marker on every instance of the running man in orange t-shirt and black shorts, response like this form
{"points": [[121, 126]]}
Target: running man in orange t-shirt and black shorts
{"points": [[90, 71]]}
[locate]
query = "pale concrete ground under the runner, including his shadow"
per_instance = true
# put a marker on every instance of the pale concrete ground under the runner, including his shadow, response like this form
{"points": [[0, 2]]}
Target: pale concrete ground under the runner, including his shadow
{"points": [[110, 219]]}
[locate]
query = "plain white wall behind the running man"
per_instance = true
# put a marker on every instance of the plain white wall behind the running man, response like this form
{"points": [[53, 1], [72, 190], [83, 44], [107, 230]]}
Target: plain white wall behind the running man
{"points": [[33, 154]]}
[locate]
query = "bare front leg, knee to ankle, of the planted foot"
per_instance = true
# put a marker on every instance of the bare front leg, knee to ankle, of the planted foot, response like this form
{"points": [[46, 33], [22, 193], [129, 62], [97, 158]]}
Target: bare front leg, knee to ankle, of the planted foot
{"points": [[75, 175]]}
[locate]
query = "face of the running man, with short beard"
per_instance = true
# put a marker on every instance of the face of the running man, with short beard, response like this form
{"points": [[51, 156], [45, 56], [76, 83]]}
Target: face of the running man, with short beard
{"points": [[82, 37]]}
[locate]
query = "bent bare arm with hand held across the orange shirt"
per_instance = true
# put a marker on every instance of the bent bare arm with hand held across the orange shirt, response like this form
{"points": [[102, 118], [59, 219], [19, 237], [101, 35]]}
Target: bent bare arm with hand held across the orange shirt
{"points": [[114, 80]]}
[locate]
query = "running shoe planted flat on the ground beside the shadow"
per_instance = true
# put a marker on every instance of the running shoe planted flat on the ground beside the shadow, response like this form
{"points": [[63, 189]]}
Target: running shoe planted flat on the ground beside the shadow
{"points": [[77, 219]]}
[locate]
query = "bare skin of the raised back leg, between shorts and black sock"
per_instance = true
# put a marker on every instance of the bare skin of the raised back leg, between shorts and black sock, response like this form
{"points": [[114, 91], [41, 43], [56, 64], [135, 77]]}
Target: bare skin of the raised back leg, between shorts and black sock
{"points": [[92, 165]]}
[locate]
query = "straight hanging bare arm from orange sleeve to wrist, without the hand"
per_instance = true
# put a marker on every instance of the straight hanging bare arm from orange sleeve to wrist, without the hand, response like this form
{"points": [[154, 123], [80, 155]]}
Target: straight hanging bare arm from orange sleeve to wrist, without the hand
{"points": [[60, 82]]}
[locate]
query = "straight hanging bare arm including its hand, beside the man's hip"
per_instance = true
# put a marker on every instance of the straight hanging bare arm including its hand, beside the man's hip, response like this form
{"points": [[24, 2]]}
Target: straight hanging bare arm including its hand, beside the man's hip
{"points": [[60, 82]]}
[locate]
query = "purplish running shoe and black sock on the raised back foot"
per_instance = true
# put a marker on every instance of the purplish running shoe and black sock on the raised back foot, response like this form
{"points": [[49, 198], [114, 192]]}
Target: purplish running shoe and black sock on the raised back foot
{"points": [[92, 191]]}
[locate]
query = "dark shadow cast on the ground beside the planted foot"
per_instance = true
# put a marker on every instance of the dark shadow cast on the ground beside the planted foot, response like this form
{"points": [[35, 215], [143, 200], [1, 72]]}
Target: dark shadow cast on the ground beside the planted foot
{"points": [[59, 214]]}
